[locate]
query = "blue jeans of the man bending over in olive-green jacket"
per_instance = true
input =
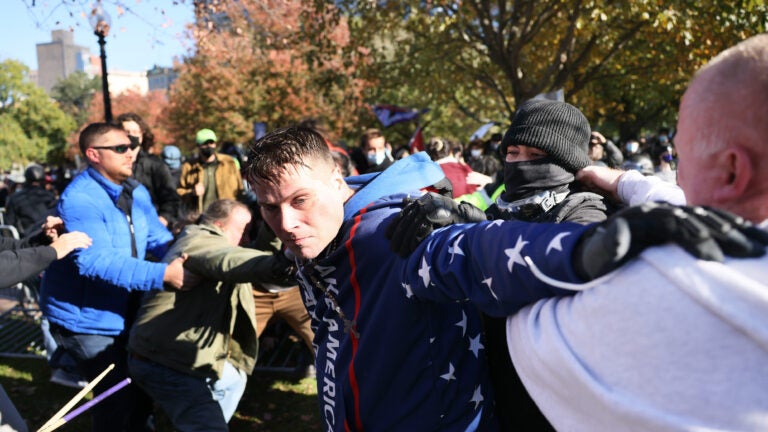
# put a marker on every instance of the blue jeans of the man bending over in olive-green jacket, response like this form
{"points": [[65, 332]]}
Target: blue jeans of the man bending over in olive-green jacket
{"points": [[192, 403]]}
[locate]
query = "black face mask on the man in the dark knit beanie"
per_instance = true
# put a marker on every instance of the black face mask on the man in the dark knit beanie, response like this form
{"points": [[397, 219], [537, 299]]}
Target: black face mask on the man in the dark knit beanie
{"points": [[525, 178]]}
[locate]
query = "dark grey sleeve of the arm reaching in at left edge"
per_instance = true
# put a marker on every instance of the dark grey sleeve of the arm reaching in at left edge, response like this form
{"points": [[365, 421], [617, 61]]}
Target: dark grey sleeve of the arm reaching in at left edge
{"points": [[20, 261]]}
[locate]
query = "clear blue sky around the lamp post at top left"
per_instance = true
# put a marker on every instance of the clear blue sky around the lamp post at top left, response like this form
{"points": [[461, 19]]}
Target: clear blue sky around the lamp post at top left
{"points": [[147, 32]]}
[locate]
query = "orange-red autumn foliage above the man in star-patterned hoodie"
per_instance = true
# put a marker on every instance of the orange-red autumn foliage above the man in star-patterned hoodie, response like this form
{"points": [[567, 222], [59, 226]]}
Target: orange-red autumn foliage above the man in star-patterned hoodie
{"points": [[276, 62]]}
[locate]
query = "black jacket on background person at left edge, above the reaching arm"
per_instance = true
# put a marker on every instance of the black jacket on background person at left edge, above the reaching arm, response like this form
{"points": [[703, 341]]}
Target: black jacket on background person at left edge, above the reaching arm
{"points": [[27, 208]]}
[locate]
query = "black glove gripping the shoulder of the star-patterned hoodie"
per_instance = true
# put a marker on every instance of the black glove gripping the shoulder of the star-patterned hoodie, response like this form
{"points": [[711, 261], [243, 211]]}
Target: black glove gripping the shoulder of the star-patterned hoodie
{"points": [[422, 216]]}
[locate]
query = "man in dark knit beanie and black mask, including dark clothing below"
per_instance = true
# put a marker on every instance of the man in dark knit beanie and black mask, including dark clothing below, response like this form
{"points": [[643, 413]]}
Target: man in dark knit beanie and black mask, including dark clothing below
{"points": [[547, 143]]}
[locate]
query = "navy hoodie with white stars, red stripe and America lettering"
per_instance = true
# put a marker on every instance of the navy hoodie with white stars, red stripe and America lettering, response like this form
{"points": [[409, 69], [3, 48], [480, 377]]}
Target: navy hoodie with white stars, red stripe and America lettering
{"points": [[406, 352]]}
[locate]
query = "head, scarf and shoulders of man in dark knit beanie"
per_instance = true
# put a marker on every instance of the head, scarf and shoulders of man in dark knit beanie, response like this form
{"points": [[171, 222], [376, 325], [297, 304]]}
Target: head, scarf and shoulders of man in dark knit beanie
{"points": [[547, 143]]}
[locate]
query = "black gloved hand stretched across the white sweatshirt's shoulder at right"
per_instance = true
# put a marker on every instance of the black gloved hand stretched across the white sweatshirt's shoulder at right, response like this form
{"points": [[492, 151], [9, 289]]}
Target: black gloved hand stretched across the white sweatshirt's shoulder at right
{"points": [[705, 233]]}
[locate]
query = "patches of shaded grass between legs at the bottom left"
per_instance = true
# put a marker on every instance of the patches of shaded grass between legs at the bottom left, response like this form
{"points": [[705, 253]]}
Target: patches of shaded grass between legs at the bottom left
{"points": [[272, 401]]}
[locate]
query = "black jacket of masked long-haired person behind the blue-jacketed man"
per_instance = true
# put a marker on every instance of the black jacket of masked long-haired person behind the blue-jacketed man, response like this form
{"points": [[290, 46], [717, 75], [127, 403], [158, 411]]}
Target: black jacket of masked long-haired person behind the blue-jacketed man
{"points": [[155, 175]]}
